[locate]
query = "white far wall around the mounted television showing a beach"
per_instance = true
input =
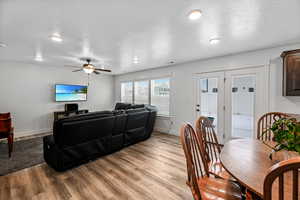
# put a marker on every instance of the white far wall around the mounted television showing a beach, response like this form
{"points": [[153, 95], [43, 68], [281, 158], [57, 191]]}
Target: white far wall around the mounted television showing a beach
{"points": [[27, 91]]}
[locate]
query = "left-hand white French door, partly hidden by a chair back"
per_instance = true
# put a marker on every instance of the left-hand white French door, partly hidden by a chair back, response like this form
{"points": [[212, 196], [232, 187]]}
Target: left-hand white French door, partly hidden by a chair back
{"points": [[210, 99]]}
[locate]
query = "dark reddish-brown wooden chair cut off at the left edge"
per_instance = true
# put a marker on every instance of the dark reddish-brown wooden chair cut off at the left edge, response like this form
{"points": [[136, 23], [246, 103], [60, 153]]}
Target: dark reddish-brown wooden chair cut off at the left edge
{"points": [[6, 130]]}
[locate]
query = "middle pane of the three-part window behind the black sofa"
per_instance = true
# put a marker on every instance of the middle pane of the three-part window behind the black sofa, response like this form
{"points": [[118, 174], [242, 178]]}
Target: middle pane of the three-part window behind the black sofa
{"points": [[141, 92]]}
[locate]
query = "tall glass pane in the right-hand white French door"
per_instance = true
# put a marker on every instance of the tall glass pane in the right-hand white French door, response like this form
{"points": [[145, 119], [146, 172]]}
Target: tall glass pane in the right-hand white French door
{"points": [[243, 99]]}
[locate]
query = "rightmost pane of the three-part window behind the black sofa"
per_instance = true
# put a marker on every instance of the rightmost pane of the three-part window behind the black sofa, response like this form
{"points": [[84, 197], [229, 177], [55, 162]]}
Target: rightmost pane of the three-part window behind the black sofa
{"points": [[160, 95]]}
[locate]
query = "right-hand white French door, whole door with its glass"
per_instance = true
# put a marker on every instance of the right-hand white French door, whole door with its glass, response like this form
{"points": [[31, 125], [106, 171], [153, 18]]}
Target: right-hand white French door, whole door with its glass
{"points": [[245, 101]]}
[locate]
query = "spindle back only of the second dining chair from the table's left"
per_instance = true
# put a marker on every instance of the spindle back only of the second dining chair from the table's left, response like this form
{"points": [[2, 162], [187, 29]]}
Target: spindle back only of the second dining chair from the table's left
{"points": [[205, 130]]}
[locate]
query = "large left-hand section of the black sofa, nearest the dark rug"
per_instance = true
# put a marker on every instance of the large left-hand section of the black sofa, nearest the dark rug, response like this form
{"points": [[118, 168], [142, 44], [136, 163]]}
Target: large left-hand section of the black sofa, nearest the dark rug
{"points": [[78, 139]]}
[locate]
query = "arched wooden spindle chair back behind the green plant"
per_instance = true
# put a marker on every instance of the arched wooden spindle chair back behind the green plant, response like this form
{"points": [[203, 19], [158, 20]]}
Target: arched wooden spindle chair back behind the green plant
{"points": [[265, 122]]}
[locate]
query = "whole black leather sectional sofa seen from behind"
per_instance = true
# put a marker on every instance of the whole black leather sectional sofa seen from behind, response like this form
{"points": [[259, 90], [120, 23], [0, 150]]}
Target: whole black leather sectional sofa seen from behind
{"points": [[81, 138]]}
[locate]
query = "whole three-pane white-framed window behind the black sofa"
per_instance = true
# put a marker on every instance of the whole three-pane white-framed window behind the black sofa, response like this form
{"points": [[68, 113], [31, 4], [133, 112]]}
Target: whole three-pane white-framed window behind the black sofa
{"points": [[139, 92]]}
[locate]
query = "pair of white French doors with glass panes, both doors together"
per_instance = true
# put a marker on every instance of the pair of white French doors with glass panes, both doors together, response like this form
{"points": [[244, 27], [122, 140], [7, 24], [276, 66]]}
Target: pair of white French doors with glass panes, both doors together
{"points": [[234, 99]]}
